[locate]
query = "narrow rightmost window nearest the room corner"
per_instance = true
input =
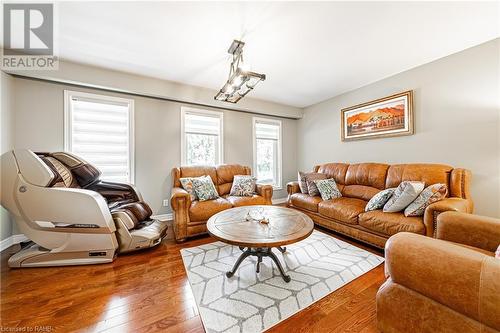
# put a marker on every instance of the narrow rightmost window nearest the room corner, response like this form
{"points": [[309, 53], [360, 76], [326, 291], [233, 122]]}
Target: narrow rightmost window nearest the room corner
{"points": [[267, 151]]}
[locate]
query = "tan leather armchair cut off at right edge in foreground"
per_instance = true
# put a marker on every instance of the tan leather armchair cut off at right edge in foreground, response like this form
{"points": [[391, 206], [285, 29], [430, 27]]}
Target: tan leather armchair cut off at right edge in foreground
{"points": [[449, 284]]}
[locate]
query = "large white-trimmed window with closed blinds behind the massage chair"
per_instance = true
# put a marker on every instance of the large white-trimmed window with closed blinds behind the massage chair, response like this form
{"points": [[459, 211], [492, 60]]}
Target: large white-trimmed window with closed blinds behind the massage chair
{"points": [[100, 130]]}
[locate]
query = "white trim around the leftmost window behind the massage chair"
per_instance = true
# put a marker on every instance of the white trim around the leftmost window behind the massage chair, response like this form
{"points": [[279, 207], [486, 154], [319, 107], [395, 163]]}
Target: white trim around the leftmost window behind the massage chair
{"points": [[69, 94]]}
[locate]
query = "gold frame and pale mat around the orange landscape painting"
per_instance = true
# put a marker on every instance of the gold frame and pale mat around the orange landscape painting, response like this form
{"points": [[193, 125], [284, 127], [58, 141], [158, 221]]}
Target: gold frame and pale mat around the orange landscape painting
{"points": [[408, 129]]}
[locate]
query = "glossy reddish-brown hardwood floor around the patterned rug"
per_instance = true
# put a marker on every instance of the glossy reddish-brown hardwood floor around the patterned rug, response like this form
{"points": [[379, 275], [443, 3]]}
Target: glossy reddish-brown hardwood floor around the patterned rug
{"points": [[149, 292]]}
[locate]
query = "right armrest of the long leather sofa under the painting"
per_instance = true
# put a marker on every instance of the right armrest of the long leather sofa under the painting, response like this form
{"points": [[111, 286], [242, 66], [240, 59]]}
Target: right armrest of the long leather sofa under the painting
{"points": [[449, 204]]}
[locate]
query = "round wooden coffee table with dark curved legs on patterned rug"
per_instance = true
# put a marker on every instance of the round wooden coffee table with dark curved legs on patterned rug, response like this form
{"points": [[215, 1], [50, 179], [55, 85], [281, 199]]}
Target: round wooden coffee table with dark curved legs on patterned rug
{"points": [[240, 226]]}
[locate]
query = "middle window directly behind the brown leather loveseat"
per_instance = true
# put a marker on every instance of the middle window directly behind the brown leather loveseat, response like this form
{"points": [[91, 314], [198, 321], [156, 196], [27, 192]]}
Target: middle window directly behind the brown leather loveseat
{"points": [[201, 141]]}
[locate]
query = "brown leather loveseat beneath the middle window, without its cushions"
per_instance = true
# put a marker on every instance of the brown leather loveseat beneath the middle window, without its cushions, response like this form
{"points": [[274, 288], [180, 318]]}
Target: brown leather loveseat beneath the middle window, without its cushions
{"points": [[190, 217]]}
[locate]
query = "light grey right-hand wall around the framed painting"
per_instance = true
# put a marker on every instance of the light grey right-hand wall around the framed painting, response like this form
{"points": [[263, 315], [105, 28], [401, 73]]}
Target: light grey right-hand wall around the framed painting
{"points": [[457, 110]]}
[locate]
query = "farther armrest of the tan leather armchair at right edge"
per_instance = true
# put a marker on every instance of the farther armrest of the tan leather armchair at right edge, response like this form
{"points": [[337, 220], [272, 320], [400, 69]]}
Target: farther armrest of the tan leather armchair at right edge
{"points": [[473, 230]]}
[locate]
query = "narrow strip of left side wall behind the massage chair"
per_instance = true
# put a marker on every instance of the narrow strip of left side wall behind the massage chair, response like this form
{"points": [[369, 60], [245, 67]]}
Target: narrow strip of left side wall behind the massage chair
{"points": [[6, 122]]}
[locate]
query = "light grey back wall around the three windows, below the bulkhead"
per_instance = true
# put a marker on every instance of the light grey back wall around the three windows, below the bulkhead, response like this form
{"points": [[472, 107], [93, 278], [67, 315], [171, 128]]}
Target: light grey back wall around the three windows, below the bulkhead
{"points": [[38, 125]]}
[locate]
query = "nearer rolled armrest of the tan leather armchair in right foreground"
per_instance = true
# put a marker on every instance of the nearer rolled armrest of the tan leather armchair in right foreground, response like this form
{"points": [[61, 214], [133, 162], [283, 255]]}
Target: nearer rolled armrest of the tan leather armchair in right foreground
{"points": [[459, 278]]}
